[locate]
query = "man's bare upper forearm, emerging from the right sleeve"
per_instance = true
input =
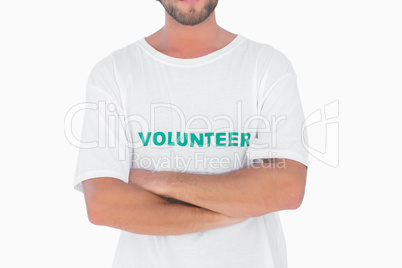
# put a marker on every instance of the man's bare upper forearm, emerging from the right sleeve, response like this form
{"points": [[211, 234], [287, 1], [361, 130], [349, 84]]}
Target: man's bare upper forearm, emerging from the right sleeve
{"points": [[247, 192]]}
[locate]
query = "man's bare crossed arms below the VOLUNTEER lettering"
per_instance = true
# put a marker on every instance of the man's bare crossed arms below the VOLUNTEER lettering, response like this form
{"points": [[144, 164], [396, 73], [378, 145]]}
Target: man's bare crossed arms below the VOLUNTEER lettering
{"points": [[213, 200]]}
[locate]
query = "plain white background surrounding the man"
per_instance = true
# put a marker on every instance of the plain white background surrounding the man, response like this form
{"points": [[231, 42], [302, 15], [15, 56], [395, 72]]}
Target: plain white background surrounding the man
{"points": [[347, 51]]}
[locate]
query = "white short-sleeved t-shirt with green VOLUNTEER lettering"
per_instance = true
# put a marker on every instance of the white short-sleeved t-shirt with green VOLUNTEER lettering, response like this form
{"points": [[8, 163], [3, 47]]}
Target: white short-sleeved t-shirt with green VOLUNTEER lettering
{"points": [[210, 114]]}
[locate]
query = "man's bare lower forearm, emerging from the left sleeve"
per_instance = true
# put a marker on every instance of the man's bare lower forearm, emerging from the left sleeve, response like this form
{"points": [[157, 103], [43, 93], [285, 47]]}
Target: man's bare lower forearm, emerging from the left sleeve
{"points": [[113, 203]]}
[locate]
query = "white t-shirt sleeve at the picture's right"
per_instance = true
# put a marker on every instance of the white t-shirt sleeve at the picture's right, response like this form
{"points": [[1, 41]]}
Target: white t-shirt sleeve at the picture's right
{"points": [[279, 132]]}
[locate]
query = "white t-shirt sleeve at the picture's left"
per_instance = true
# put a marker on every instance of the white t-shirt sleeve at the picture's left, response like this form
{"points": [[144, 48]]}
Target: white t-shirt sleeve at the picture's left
{"points": [[104, 150]]}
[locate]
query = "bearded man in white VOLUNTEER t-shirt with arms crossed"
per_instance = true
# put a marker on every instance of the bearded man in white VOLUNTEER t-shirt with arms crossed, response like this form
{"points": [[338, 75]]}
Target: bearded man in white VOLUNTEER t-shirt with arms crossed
{"points": [[194, 145]]}
